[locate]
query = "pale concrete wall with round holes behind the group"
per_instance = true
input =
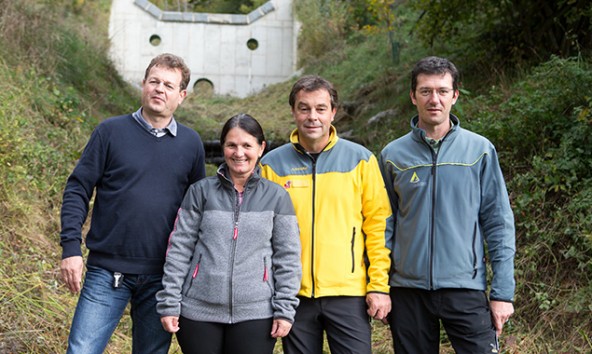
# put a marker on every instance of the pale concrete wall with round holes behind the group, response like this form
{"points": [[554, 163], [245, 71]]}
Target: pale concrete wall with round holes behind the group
{"points": [[236, 54]]}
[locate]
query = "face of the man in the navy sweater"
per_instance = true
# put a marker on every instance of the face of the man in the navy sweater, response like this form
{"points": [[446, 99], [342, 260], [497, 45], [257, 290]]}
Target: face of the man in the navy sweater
{"points": [[161, 94]]}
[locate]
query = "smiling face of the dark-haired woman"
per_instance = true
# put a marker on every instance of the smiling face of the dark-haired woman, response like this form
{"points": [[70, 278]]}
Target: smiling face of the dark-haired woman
{"points": [[241, 152]]}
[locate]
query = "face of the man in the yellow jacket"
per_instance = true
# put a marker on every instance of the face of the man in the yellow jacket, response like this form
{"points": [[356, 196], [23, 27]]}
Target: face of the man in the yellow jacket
{"points": [[313, 115]]}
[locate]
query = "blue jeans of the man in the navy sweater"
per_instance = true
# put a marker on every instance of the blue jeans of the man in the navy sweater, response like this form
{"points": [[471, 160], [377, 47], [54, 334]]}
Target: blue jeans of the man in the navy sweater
{"points": [[100, 308]]}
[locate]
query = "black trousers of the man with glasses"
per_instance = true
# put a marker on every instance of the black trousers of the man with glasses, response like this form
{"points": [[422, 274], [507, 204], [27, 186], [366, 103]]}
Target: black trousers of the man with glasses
{"points": [[465, 315]]}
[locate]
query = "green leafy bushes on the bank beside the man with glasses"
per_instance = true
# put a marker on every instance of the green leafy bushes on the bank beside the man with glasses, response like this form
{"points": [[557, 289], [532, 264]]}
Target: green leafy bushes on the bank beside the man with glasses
{"points": [[542, 126]]}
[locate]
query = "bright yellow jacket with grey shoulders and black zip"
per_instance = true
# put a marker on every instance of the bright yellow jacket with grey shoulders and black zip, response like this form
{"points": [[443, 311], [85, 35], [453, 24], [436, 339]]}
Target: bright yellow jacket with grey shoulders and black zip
{"points": [[343, 212]]}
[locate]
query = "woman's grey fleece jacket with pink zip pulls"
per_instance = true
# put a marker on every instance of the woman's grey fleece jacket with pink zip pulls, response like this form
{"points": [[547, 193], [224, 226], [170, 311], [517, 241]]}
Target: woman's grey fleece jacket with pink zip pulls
{"points": [[229, 263]]}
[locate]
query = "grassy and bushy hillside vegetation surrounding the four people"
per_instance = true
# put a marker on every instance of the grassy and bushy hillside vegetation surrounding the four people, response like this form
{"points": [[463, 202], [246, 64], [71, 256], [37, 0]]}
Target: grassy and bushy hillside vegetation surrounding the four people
{"points": [[527, 86]]}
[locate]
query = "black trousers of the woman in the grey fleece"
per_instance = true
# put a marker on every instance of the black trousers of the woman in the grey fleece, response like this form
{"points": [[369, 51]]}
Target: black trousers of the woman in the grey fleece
{"points": [[249, 337]]}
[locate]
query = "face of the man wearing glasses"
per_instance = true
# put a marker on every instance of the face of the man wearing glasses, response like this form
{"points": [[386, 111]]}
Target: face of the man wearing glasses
{"points": [[434, 98]]}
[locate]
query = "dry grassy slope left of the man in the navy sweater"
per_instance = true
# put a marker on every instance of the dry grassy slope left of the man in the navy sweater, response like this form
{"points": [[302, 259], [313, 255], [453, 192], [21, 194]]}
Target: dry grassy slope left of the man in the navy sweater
{"points": [[56, 84]]}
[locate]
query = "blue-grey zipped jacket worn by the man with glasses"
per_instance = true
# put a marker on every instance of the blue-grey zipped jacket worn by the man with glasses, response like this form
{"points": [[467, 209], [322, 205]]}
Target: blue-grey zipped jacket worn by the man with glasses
{"points": [[447, 206]]}
